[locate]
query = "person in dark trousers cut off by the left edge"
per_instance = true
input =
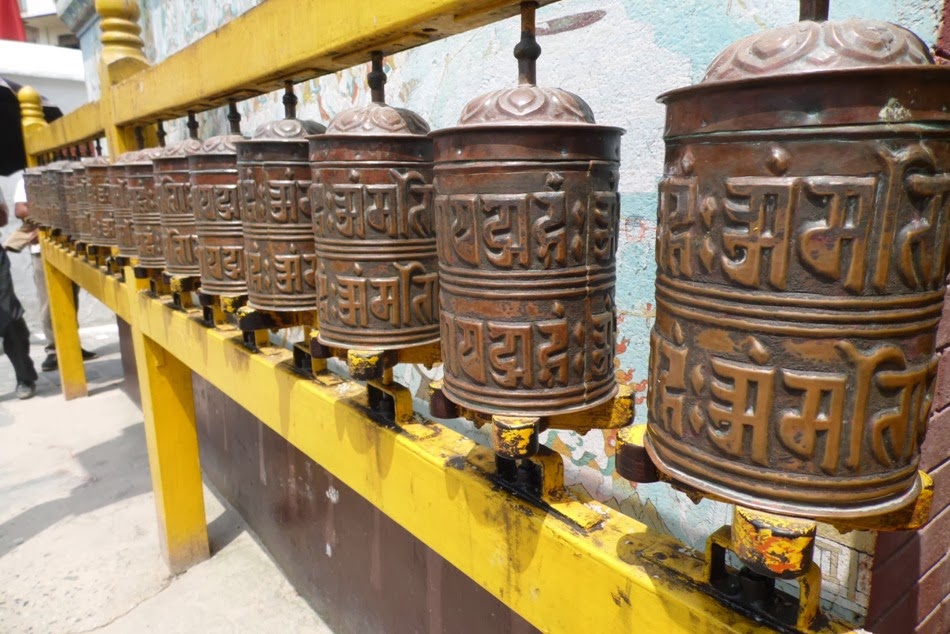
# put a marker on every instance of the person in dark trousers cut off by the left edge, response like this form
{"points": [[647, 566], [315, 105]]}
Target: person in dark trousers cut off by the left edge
{"points": [[13, 329]]}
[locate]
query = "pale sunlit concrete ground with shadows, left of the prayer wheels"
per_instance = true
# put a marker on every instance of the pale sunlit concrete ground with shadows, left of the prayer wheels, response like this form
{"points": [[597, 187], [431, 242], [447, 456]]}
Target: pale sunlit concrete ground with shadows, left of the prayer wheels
{"points": [[78, 534]]}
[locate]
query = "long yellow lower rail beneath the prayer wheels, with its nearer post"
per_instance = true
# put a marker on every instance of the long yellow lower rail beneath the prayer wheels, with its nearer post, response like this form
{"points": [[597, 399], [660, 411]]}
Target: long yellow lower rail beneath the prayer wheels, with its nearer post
{"points": [[539, 564]]}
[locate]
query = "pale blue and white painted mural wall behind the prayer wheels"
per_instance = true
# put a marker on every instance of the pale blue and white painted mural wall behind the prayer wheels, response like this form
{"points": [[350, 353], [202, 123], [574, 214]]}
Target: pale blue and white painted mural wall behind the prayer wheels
{"points": [[618, 55]]}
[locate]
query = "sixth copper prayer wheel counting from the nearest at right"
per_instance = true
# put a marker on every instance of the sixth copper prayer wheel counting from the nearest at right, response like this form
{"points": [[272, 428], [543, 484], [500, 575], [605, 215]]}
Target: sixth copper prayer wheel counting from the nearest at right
{"points": [[173, 191]]}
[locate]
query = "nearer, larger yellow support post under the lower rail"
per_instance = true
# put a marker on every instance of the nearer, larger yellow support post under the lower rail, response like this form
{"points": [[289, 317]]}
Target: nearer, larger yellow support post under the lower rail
{"points": [[172, 438]]}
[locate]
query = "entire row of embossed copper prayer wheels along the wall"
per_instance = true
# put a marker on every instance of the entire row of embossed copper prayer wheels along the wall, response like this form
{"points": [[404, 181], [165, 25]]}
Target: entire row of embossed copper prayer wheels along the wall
{"points": [[802, 249]]}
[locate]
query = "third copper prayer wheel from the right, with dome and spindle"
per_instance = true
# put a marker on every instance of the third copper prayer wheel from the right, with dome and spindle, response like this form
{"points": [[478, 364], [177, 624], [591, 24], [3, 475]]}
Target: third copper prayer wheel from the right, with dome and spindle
{"points": [[377, 265]]}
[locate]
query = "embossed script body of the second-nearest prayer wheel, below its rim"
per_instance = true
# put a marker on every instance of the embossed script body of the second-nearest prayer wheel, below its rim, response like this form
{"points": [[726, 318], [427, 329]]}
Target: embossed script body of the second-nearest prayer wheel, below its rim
{"points": [[527, 275]]}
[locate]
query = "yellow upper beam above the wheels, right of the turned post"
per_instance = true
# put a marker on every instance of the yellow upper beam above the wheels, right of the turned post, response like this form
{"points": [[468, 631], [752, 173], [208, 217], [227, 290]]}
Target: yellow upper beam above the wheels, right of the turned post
{"points": [[300, 39]]}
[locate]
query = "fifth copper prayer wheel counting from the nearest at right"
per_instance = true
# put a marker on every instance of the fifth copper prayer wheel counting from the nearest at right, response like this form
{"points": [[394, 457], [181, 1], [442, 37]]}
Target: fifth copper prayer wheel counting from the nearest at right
{"points": [[214, 193]]}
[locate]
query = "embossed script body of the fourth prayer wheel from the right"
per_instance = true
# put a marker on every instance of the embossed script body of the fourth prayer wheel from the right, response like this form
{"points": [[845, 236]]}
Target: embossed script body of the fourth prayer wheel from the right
{"points": [[278, 236]]}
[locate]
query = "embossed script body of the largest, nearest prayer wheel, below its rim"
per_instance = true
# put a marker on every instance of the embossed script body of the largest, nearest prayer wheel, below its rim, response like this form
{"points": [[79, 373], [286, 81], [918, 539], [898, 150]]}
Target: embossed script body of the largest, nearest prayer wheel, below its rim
{"points": [[797, 304]]}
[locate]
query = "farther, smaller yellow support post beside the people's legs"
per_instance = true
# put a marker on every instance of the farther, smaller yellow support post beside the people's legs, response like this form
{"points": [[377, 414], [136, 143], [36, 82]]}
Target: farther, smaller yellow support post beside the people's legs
{"points": [[62, 309]]}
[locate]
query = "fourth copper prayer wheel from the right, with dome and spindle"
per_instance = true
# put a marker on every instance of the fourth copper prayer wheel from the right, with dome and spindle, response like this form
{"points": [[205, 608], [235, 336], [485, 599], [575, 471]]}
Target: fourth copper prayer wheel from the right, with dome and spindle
{"points": [[274, 173]]}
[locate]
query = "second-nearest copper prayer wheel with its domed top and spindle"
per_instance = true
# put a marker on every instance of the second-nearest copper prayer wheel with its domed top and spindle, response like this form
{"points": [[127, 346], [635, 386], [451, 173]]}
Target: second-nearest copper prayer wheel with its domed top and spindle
{"points": [[527, 214]]}
